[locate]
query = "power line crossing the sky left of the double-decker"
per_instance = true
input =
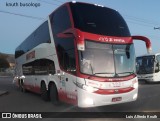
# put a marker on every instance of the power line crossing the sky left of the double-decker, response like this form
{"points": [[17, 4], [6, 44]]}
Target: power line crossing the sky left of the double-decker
{"points": [[22, 15]]}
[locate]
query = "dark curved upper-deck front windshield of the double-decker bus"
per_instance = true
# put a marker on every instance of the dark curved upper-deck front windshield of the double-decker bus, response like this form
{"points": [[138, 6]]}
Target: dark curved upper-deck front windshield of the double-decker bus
{"points": [[98, 20]]}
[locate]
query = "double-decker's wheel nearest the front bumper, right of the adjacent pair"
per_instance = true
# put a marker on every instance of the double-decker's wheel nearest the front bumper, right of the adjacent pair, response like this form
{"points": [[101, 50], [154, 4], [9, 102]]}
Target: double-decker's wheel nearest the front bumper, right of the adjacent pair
{"points": [[53, 94]]}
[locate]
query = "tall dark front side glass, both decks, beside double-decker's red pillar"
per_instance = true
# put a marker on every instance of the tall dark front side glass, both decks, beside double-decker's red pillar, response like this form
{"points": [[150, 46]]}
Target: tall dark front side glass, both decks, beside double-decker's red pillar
{"points": [[64, 45]]}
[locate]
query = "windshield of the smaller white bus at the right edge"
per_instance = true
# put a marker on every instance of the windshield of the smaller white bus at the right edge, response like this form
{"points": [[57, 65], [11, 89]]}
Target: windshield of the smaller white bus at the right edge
{"points": [[145, 64]]}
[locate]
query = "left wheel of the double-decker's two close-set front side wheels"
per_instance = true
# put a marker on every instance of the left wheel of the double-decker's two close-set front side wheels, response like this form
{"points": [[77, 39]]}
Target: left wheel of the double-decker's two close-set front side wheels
{"points": [[44, 92]]}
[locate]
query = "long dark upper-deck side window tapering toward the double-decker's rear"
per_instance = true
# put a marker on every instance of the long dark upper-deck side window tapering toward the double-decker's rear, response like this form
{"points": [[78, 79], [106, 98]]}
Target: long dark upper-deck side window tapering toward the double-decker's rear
{"points": [[39, 36]]}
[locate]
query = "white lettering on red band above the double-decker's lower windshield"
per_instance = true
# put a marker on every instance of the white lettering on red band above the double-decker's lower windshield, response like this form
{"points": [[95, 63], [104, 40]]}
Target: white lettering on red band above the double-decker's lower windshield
{"points": [[113, 40]]}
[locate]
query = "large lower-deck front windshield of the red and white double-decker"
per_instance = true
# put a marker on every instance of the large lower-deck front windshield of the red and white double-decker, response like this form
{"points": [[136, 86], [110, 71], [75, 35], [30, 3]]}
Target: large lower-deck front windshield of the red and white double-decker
{"points": [[107, 60]]}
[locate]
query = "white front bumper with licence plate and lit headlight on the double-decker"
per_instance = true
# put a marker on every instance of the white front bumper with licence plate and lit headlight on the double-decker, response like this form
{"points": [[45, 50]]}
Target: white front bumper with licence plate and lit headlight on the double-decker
{"points": [[87, 99]]}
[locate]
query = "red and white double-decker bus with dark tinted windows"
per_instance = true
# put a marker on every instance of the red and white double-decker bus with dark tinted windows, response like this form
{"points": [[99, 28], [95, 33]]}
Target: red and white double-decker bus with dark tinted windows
{"points": [[83, 55]]}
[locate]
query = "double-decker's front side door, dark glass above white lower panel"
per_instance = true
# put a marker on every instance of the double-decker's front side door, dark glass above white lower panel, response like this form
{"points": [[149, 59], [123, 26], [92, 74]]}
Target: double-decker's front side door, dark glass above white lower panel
{"points": [[68, 75]]}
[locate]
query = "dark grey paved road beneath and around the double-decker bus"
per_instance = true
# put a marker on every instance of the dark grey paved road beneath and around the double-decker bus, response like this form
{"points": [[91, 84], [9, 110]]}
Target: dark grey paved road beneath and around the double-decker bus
{"points": [[16, 101]]}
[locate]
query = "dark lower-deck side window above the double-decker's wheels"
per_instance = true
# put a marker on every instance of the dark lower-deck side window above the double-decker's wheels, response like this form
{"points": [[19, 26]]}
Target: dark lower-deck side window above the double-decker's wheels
{"points": [[39, 67]]}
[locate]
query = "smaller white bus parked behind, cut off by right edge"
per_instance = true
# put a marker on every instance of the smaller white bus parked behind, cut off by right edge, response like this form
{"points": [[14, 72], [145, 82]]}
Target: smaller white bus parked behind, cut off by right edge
{"points": [[148, 67]]}
